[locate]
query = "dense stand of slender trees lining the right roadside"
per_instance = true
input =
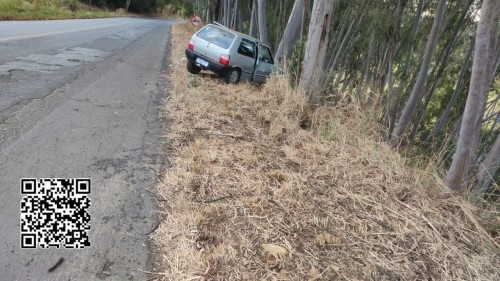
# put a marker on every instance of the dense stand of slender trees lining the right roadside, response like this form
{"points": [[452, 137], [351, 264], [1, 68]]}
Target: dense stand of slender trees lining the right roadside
{"points": [[428, 67]]}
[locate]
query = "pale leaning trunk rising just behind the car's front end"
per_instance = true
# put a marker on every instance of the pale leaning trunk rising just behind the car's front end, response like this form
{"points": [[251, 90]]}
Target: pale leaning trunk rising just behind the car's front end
{"points": [[292, 32]]}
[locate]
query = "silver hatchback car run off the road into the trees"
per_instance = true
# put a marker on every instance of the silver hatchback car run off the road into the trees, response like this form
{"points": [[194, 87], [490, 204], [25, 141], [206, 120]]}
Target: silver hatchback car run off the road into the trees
{"points": [[230, 54]]}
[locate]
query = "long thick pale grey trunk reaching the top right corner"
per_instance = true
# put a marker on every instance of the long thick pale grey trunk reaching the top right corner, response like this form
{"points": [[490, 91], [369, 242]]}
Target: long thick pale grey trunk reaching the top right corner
{"points": [[468, 140]]}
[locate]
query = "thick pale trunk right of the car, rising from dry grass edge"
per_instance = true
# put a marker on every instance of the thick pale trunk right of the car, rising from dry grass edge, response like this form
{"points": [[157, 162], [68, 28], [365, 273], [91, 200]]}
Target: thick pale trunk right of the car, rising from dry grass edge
{"points": [[317, 44]]}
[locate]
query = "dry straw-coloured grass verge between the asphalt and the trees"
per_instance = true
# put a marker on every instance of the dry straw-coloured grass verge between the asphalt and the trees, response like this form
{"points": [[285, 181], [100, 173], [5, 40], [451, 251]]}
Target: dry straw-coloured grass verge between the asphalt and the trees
{"points": [[259, 188]]}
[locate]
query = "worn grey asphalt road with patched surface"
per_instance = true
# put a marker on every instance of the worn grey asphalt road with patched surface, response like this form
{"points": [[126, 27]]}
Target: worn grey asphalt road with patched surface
{"points": [[81, 98]]}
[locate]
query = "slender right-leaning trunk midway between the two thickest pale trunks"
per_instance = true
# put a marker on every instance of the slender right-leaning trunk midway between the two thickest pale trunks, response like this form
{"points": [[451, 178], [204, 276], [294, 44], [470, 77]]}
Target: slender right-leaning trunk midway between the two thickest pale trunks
{"points": [[418, 88]]}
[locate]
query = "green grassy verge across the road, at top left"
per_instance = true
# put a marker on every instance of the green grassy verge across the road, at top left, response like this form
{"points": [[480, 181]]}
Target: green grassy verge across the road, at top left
{"points": [[48, 9]]}
